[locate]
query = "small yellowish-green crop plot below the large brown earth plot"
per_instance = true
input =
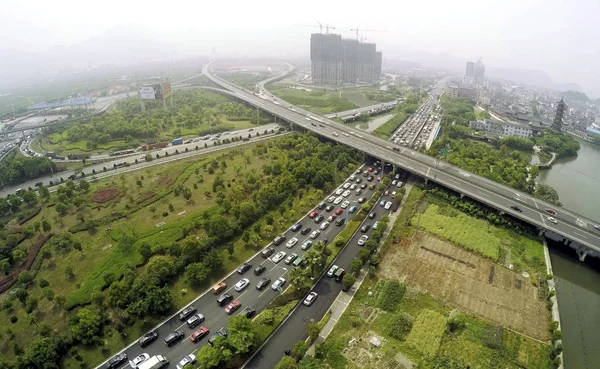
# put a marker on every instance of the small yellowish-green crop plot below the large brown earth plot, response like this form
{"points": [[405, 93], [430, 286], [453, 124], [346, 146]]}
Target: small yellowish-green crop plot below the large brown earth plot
{"points": [[426, 334]]}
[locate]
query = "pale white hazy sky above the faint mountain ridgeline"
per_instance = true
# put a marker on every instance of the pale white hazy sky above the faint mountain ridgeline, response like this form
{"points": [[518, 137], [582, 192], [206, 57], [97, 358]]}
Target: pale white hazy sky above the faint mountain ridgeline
{"points": [[556, 36]]}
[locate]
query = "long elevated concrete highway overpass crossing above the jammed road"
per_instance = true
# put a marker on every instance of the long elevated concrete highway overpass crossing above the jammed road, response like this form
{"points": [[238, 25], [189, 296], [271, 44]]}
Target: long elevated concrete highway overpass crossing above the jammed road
{"points": [[484, 190]]}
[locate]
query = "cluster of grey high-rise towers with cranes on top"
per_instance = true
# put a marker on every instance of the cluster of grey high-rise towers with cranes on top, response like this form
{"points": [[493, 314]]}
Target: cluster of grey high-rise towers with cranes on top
{"points": [[336, 61]]}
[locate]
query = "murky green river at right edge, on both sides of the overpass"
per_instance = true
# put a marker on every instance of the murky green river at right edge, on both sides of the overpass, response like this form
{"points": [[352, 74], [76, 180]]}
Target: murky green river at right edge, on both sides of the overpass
{"points": [[577, 181]]}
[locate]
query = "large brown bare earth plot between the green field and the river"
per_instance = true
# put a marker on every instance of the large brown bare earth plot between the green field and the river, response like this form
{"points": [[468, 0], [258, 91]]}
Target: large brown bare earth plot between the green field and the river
{"points": [[471, 282]]}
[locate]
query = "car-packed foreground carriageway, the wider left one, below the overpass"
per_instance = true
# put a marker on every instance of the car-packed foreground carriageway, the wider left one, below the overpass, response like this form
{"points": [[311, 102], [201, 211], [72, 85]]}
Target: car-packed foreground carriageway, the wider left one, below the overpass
{"points": [[215, 316]]}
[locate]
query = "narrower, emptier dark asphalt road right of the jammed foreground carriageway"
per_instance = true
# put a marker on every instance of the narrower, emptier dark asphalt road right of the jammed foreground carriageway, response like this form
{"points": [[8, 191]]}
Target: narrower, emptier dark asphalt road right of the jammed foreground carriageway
{"points": [[294, 329]]}
